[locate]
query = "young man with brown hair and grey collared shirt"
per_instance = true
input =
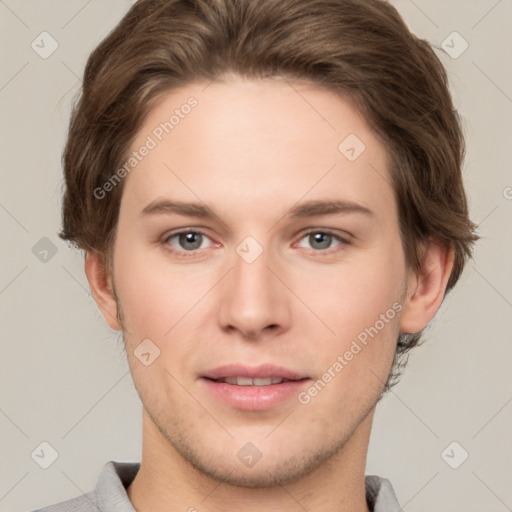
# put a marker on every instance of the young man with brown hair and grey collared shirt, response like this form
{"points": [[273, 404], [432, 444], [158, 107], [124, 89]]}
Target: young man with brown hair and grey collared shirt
{"points": [[309, 153]]}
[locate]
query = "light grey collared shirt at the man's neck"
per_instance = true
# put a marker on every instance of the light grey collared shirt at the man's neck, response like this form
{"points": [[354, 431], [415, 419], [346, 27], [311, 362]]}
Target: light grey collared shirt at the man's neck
{"points": [[109, 494]]}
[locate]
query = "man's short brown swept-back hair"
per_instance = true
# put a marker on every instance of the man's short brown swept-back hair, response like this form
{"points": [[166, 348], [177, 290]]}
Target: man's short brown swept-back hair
{"points": [[360, 49]]}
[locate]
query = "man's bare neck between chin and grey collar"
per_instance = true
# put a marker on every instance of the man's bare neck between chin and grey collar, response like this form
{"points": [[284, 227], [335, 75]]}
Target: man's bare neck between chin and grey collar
{"points": [[167, 482]]}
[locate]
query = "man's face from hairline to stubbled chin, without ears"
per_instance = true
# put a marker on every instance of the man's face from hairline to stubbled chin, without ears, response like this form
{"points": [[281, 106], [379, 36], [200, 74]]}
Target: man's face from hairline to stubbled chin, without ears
{"points": [[258, 238]]}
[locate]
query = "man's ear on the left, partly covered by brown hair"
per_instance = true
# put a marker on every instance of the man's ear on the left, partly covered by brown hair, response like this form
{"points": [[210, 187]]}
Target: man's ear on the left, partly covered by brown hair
{"points": [[101, 288]]}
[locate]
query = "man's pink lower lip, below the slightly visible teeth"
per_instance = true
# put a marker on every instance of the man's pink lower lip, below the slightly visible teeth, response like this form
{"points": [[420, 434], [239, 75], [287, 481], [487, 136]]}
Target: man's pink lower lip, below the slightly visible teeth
{"points": [[255, 398]]}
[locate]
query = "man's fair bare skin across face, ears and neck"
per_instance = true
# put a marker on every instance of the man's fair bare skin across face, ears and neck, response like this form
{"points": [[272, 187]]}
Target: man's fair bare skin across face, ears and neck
{"points": [[251, 150]]}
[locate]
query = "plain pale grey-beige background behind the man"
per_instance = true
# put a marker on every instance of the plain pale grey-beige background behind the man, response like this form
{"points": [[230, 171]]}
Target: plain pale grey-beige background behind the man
{"points": [[64, 379]]}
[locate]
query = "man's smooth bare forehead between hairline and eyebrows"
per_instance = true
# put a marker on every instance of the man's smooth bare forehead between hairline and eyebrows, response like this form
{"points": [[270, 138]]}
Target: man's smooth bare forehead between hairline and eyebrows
{"points": [[241, 143]]}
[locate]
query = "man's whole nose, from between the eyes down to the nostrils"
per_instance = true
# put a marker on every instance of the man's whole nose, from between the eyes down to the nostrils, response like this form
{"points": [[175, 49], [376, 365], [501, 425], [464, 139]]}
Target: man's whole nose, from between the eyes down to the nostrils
{"points": [[253, 298]]}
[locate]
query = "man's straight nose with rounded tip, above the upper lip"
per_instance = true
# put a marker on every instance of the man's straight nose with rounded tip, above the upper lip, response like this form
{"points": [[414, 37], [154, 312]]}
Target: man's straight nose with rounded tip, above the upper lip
{"points": [[254, 302]]}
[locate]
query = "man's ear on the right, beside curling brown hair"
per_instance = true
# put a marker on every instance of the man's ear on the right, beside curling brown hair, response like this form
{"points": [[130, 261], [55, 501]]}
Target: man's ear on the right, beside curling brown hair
{"points": [[426, 287]]}
